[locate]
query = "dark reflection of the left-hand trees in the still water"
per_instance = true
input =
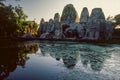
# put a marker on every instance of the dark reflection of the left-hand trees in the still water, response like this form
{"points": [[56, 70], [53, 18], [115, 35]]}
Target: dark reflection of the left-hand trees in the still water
{"points": [[11, 57]]}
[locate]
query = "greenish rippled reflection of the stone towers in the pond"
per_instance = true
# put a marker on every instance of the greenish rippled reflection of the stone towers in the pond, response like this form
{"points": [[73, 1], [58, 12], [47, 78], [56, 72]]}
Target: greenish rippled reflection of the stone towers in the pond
{"points": [[70, 55]]}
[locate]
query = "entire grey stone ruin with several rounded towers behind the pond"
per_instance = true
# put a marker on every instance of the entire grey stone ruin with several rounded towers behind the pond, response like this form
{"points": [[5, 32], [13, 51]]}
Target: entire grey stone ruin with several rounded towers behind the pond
{"points": [[93, 27]]}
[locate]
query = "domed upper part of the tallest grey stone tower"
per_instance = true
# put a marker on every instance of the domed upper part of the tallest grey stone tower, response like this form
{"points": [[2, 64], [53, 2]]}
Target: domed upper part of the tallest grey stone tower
{"points": [[69, 15]]}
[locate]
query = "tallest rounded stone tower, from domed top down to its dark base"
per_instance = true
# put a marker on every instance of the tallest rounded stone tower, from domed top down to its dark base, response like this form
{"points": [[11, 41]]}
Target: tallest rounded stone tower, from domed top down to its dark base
{"points": [[68, 19]]}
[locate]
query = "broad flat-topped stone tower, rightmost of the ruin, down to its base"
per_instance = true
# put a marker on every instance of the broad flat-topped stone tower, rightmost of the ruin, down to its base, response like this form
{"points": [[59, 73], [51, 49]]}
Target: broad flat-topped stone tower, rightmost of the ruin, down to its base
{"points": [[95, 25]]}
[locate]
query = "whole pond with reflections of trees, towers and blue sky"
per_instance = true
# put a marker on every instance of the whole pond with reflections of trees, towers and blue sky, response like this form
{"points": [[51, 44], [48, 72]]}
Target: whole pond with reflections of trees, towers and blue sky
{"points": [[45, 60]]}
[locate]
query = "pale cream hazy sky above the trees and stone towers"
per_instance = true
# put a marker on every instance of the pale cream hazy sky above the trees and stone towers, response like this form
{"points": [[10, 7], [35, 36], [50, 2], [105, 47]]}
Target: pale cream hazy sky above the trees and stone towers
{"points": [[37, 9]]}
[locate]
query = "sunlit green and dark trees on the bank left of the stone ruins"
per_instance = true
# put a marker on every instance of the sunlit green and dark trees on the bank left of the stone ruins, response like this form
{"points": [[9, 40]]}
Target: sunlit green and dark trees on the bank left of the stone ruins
{"points": [[13, 21]]}
